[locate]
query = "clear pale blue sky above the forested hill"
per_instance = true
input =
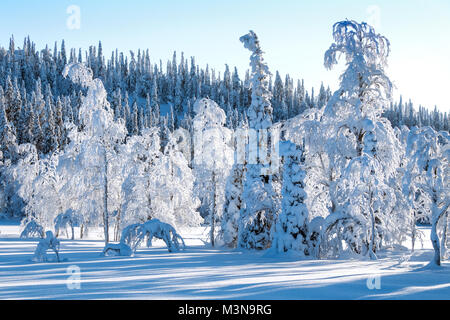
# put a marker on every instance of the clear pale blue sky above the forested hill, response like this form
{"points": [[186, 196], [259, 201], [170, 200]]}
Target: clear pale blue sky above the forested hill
{"points": [[293, 33]]}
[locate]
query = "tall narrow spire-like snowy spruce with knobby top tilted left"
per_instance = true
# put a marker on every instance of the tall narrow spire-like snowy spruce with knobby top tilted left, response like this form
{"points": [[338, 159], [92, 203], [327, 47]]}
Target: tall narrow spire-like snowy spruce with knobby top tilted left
{"points": [[261, 205]]}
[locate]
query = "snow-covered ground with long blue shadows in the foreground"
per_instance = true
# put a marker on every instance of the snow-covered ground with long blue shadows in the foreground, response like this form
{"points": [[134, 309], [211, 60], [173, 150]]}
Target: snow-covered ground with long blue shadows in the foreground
{"points": [[201, 272]]}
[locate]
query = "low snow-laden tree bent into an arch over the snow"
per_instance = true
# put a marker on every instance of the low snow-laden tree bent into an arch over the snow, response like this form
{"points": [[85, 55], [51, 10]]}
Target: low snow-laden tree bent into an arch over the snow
{"points": [[133, 235]]}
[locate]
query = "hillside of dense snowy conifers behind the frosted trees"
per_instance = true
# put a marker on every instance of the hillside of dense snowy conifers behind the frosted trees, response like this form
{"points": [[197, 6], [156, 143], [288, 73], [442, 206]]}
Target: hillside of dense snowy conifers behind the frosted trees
{"points": [[37, 99]]}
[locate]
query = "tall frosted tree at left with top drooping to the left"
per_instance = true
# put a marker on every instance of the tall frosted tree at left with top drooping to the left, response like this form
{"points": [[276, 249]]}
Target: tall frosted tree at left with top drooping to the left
{"points": [[95, 145]]}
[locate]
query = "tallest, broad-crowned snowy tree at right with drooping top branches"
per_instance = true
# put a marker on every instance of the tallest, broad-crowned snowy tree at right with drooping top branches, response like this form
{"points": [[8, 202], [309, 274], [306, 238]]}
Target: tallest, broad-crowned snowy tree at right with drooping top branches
{"points": [[363, 147]]}
